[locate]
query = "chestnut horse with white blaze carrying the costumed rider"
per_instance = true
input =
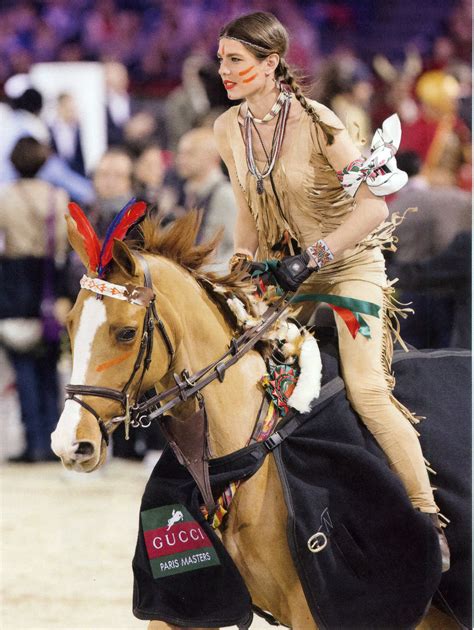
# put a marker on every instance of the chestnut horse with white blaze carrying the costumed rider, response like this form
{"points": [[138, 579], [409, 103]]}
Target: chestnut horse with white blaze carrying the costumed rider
{"points": [[106, 339]]}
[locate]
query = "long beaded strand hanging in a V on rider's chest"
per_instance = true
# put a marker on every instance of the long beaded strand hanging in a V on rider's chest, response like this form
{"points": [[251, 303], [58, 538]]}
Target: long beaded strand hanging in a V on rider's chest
{"points": [[277, 141]]}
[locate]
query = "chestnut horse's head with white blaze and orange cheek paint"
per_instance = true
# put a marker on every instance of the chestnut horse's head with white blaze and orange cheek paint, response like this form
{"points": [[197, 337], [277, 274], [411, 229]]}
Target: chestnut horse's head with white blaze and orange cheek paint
{"points": [[111, 328]]}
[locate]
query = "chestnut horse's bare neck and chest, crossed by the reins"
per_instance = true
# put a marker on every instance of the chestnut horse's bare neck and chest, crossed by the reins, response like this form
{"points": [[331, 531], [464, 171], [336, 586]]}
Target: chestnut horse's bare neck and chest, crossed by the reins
{"points": [[232, 406]]}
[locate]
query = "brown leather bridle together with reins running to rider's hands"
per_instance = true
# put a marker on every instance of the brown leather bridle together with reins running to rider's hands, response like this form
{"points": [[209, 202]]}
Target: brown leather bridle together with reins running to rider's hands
{"points": [[143, 412]]}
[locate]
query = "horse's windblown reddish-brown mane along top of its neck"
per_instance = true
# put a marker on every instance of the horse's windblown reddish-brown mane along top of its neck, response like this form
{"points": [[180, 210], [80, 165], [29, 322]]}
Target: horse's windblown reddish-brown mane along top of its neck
{"points": [[177, 241]]}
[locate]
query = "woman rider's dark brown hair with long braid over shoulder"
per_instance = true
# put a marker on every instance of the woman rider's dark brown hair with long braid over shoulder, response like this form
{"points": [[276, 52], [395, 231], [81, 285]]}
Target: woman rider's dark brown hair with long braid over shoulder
{"points": [[263, 34]]}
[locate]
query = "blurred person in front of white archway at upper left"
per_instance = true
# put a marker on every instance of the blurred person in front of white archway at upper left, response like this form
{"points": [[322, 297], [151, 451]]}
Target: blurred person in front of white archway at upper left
{"points": [[65, 133]]}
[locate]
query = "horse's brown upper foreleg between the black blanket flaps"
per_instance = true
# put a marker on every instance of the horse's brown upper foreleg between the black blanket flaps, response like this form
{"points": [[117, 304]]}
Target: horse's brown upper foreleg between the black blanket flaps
{"points": [[255, 537]]}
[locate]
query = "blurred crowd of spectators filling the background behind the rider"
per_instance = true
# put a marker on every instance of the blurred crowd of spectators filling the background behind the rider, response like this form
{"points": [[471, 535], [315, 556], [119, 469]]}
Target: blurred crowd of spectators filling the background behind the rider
{"points": [[162, 94]]}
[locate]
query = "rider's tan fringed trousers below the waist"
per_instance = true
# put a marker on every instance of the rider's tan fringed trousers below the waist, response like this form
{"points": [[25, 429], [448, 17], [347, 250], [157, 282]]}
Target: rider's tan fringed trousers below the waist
{"points": [[366, 370]]}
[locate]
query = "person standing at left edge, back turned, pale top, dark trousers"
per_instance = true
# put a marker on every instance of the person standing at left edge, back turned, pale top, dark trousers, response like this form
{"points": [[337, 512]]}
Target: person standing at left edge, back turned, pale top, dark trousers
{"points": [[34, 245]]}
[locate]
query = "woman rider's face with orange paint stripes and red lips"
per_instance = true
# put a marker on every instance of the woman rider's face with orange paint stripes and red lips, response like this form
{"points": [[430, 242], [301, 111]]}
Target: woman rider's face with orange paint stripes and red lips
{"points": [[242, 73]]}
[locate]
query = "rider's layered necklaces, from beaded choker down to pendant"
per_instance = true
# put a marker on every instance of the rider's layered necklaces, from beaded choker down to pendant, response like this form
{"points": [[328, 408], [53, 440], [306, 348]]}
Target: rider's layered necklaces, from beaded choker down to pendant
{"points": [[281, 109]]}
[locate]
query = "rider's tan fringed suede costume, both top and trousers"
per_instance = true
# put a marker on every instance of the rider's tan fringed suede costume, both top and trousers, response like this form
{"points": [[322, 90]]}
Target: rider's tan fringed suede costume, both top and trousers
{"points": [[311, 204]]}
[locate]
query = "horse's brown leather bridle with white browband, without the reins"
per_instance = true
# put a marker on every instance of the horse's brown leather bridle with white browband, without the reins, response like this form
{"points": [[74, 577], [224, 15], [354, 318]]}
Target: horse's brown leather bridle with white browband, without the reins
{"points": [[142, 296]]}
